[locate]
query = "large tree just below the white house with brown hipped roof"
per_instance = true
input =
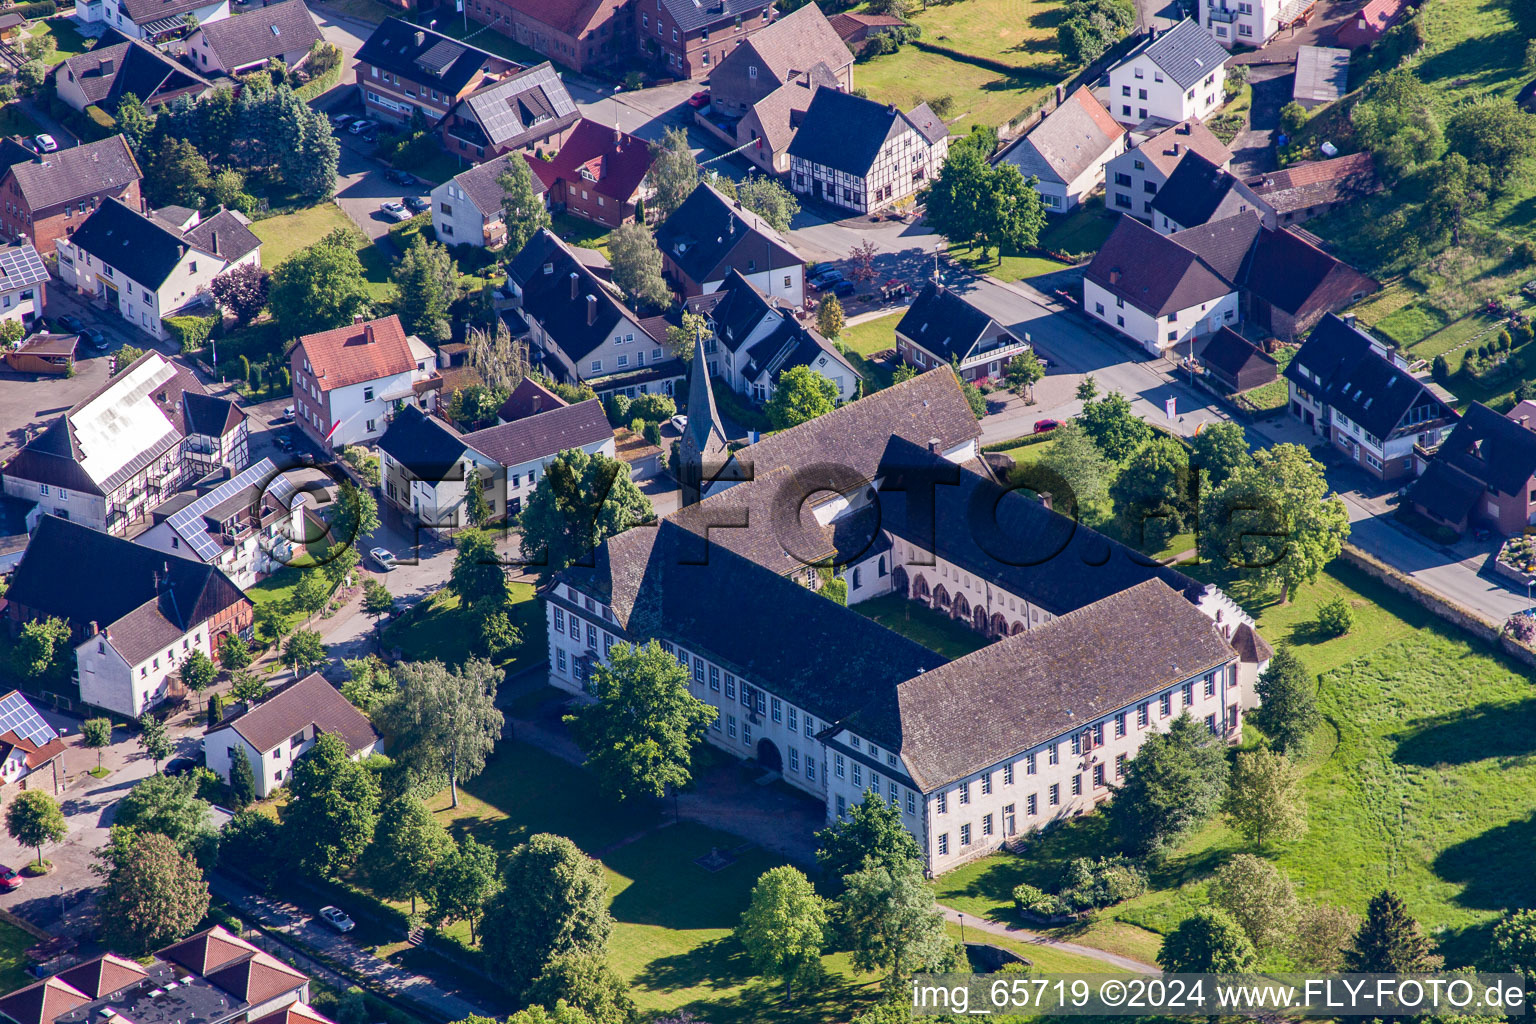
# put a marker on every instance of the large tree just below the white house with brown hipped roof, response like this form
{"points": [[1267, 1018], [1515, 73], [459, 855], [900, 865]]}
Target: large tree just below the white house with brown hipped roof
{"points": [[328, 819]]}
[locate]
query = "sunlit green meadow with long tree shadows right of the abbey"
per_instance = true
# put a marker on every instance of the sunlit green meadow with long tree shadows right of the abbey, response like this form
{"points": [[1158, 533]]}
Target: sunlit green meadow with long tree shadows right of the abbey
{"points": [[1420, 781]]}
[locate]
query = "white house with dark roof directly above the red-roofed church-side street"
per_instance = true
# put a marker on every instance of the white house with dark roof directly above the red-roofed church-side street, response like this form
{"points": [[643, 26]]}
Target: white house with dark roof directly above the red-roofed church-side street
{"points": [[709, 237]]}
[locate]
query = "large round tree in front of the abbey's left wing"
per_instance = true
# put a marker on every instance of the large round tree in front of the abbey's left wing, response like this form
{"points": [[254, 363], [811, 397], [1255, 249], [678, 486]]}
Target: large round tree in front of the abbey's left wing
{"points": [[641, 732]]}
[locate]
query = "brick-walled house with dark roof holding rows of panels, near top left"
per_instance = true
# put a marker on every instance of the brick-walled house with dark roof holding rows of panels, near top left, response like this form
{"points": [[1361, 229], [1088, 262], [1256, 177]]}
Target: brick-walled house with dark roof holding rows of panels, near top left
{"points": [[405, 68]]}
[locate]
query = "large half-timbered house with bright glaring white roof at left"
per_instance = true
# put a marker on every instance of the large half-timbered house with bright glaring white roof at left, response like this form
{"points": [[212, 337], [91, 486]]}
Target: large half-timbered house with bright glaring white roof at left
{"points": [[118, 454]]}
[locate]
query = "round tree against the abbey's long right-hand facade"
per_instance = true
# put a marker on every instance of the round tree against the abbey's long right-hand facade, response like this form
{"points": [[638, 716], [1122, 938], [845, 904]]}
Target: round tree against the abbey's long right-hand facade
{"points": [[1173, 787]]}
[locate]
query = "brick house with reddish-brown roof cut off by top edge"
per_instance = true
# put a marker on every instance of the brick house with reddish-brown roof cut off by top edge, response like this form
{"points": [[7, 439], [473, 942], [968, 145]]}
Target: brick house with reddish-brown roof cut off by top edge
{"points": [[580, 35]]}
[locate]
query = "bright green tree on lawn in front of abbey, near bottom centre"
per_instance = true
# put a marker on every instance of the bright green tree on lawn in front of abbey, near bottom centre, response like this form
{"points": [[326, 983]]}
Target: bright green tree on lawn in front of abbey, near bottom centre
{"points": [[784, 930]]}
